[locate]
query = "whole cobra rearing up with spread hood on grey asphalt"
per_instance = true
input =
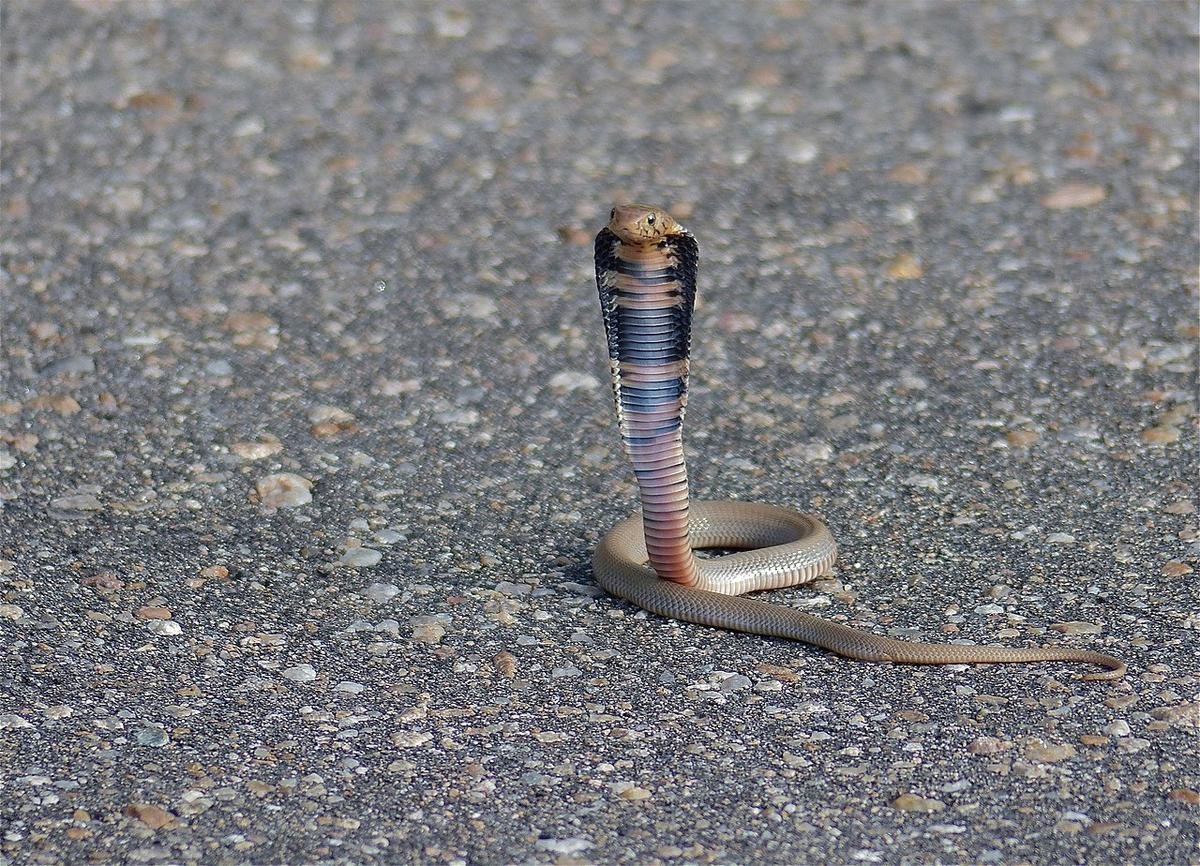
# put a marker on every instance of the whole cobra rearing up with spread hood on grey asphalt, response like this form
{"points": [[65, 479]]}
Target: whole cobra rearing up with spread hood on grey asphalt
{"points": [[646, 266]]}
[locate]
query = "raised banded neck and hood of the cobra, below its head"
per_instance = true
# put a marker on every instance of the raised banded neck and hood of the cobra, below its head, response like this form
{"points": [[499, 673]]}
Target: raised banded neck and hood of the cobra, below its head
{"points": [[647, 302]]}
